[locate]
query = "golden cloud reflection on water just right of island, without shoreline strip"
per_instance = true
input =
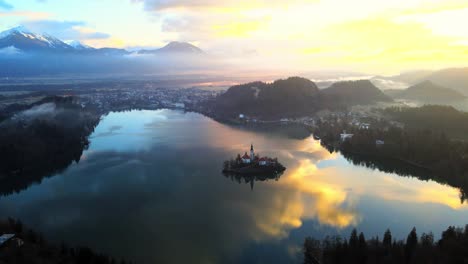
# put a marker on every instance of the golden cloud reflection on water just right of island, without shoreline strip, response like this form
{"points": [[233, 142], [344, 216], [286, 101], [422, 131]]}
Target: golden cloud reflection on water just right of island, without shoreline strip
{"points": [[303, 194]]}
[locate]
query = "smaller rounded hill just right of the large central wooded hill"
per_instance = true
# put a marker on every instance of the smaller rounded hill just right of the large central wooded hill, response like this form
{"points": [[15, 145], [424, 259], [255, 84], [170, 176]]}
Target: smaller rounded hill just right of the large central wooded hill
{"points": [[354, 92]]}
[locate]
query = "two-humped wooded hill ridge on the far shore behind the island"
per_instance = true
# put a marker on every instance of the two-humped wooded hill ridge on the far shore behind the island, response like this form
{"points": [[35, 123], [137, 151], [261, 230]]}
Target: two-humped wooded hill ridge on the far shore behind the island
{"points": [[291, 97]]}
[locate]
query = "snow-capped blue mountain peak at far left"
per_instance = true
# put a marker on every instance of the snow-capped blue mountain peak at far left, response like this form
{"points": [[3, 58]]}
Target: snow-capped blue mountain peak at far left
{"points": [[25, 40]]}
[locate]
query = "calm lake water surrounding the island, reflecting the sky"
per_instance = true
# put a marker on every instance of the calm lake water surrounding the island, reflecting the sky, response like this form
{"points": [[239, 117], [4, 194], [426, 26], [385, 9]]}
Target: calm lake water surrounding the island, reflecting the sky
{"points": [[150, 189]]}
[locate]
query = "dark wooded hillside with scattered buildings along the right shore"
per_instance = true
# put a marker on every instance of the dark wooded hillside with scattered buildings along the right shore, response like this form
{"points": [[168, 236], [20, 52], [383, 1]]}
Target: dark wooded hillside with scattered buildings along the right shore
{"points": [[426, 146]]}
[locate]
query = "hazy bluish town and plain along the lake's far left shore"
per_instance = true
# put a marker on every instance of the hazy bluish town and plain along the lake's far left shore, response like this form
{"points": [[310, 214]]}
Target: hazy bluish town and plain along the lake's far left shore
{"points": [[109, 96]]}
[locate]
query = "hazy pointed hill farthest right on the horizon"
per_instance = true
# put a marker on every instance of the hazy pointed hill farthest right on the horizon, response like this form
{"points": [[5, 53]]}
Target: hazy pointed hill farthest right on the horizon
{"points": [[429, 92]]}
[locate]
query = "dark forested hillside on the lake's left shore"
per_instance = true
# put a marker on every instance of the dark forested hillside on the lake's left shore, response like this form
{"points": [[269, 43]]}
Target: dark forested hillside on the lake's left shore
{"points": [[43, 140]]}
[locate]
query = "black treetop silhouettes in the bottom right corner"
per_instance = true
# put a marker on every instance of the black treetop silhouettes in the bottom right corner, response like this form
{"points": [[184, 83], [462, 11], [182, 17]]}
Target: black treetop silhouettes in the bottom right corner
{"points": [[451, 248]]}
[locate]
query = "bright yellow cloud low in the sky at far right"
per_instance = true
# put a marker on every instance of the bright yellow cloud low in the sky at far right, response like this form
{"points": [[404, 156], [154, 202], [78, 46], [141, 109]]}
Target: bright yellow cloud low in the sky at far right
{"points": [[391, 42]]}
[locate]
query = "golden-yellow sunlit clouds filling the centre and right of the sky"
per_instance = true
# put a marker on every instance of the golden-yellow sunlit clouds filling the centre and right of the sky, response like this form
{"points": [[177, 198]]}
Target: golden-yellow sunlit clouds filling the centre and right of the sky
{"points": [[366, 35]]}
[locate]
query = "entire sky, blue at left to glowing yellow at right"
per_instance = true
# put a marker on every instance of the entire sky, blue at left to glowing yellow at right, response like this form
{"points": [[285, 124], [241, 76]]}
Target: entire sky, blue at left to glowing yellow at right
{"points": [[372, 36]]}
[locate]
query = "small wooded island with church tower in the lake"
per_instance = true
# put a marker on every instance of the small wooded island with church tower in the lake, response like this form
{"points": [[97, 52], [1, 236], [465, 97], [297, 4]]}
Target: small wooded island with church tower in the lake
{"points": [[253, 164]]}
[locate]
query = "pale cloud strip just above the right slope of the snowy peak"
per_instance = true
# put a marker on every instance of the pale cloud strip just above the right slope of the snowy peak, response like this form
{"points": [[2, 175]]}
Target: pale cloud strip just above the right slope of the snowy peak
{"points": [[65, 29]]}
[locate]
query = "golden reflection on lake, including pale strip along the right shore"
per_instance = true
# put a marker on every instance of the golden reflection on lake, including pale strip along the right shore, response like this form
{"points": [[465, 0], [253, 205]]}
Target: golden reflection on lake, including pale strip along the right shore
{"points": [[330, 195]]}
